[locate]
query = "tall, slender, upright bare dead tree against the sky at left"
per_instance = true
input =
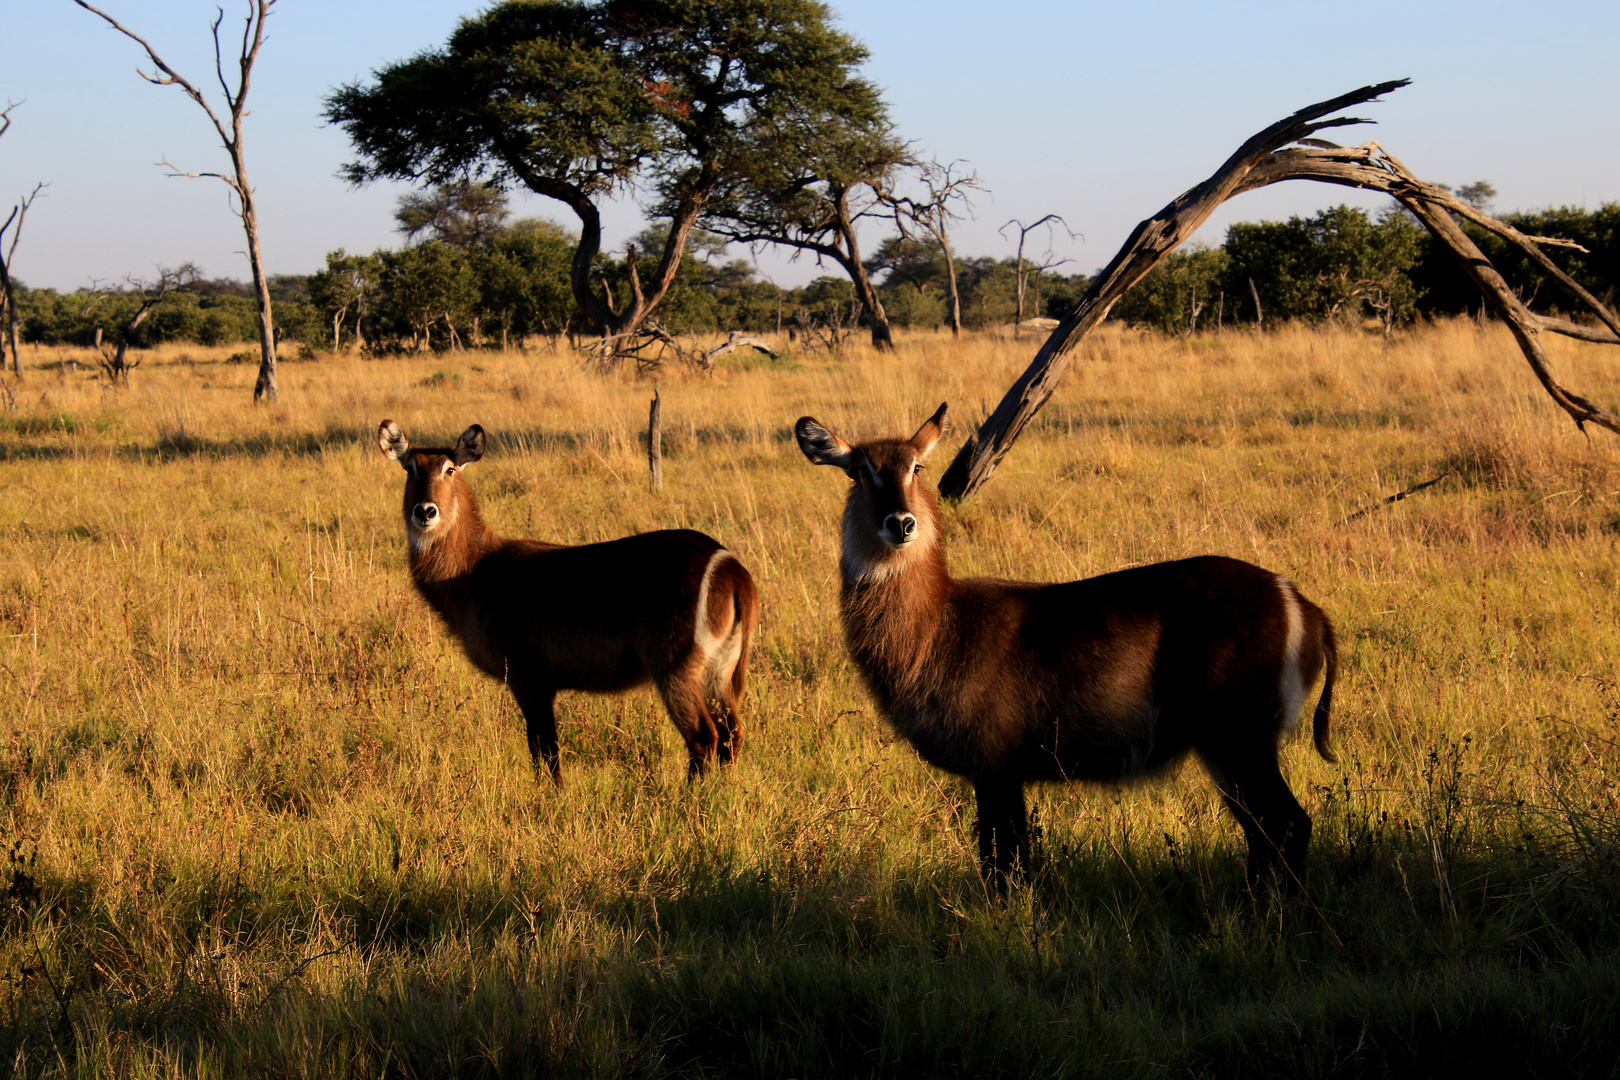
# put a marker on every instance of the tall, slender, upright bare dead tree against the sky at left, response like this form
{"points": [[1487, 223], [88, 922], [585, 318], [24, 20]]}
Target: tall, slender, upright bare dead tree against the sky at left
{"points": [[231, 138]]}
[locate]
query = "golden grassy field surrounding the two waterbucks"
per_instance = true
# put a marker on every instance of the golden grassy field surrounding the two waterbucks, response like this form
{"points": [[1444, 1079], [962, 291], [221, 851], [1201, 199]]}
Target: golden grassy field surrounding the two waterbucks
{"points": [[262, 819]]}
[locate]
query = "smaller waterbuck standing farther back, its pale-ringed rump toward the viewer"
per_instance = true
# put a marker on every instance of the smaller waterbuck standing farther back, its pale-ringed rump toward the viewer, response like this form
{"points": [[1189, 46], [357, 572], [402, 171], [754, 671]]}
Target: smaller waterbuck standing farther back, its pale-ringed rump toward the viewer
{"points": [[670, 608]]}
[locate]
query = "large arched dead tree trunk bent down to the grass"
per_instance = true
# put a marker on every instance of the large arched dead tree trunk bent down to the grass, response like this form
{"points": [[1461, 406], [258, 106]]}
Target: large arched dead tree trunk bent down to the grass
{"points": [[1287, 151]]}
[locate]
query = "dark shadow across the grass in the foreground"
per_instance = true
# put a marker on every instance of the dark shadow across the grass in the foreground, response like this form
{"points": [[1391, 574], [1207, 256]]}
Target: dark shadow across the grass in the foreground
{"points": [[1109, 966]]}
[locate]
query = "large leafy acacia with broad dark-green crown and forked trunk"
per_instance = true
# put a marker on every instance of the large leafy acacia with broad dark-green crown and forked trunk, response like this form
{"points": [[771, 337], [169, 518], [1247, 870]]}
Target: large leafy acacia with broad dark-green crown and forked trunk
{"points": [[579, 101]]}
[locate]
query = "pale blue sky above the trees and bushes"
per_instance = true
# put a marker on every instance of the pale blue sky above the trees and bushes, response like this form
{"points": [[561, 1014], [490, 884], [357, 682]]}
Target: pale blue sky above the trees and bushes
{"points": [[1098, 113]]}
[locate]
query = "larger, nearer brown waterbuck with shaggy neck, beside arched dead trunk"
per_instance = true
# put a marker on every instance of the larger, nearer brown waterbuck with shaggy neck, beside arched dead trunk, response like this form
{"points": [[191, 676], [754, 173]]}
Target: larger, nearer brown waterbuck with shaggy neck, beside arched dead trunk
{"points": [[1008, 682]]}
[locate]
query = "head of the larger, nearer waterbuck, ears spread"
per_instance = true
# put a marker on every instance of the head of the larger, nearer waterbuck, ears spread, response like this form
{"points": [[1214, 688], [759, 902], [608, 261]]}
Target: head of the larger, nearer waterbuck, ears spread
{"points": [[892, 517]]}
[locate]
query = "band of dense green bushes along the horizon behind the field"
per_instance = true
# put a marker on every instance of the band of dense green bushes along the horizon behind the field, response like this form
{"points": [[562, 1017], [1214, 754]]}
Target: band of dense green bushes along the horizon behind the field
{"points": [[1339, 265]]}
